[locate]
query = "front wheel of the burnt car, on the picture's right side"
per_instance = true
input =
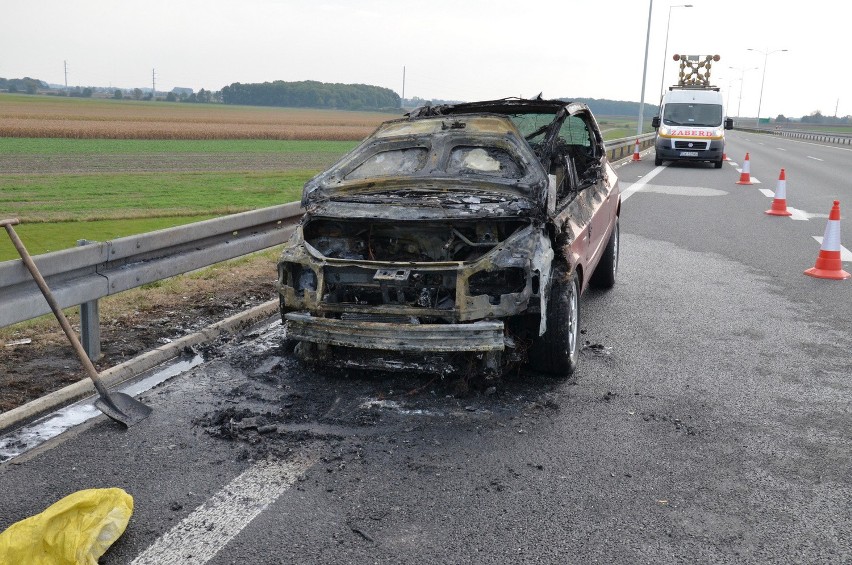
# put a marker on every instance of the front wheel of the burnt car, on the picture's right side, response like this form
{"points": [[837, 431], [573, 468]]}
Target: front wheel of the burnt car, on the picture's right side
{"points": [[557, 352]]}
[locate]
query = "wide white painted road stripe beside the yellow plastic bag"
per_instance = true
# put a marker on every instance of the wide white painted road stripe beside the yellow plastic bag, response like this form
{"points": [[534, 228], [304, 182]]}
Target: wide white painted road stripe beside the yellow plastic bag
{"points": [[202, 534]]}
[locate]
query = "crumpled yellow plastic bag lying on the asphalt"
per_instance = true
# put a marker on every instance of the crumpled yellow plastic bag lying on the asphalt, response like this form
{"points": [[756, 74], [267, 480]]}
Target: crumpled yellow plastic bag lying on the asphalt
{"points": [[76, 530]]}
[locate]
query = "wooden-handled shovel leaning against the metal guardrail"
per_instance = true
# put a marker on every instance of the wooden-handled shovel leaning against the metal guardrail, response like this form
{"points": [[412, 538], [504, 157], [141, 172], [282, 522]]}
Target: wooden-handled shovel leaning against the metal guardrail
{"points": [[121, 407]]}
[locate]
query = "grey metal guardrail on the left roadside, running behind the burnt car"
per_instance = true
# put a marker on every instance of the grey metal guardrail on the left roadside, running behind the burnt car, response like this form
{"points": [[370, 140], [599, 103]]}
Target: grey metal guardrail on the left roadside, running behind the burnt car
{"points": [[83, 275]]}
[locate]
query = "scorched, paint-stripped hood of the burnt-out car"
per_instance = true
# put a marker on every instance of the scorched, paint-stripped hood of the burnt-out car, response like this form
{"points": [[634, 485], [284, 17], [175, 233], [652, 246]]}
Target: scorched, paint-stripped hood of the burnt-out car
{"points": [[451, 160]]}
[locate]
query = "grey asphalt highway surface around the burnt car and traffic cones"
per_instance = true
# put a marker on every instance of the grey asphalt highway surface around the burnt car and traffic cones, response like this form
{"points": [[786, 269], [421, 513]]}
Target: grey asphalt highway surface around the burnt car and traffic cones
{"points": [[709, 421]]}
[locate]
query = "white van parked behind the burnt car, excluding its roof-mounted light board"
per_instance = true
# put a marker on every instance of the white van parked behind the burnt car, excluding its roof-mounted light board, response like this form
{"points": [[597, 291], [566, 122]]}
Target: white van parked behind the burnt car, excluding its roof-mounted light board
{"points": [[691, 126]]}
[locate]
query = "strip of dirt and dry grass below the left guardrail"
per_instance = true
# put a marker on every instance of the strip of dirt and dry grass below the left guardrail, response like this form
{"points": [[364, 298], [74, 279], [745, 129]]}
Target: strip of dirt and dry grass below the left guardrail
{"points": [[36, 358]]}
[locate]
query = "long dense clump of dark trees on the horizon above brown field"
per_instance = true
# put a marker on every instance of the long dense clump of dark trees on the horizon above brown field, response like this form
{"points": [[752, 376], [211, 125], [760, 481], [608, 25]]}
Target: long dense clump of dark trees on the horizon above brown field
{"points": [[311, 94]]}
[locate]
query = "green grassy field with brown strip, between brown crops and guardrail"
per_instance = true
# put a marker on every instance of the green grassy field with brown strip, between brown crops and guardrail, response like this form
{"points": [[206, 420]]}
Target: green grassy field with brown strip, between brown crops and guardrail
{"points": [[58, 208]]}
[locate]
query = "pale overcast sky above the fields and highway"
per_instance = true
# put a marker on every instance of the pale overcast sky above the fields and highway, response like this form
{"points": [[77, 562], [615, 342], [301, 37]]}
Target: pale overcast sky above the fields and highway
{"points": [[463, 50]]}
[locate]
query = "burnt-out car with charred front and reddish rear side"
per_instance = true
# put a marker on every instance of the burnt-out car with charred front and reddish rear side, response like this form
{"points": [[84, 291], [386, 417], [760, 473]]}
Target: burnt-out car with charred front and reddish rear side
{"points": [[456, 239]]}
